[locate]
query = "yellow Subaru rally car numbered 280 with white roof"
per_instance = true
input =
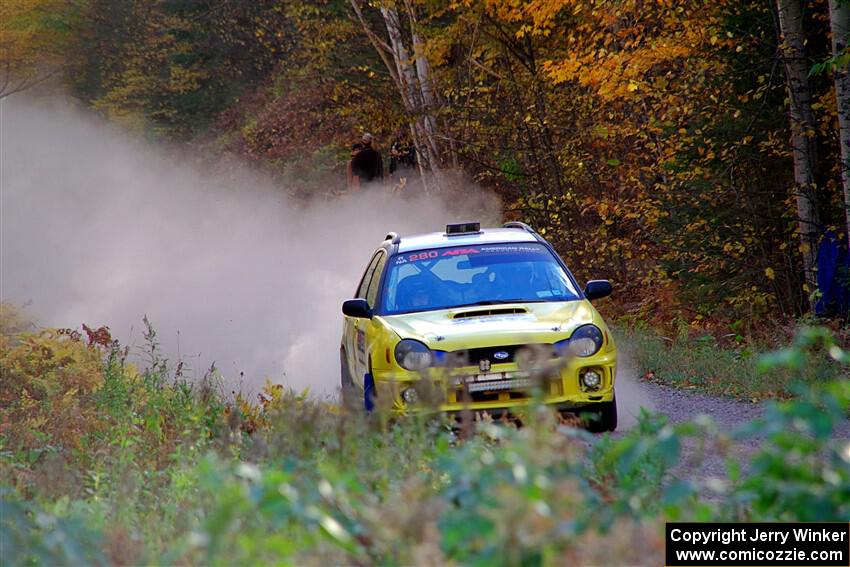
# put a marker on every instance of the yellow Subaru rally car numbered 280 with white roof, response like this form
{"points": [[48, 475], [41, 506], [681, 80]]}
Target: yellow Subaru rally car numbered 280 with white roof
{"points": [[483, 320]]}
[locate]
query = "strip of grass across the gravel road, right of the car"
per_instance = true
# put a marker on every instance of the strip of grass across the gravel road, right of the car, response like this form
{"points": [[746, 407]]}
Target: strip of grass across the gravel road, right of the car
{"points": [[705, 364]]}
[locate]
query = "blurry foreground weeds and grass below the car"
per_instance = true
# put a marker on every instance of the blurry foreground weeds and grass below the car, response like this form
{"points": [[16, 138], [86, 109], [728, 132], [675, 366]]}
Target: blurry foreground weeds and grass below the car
{"points": [[156, 470]]}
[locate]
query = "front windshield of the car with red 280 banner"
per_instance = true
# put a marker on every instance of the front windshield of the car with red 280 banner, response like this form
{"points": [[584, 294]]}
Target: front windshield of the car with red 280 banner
{"points": [[425, 280]]}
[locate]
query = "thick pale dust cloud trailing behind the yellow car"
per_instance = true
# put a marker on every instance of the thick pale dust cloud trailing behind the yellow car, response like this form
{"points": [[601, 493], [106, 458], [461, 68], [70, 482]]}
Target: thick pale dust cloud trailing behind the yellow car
{"points": [[100, 228]]}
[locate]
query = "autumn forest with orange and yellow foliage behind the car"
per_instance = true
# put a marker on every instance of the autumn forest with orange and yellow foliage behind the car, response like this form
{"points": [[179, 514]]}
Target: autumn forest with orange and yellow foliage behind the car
{"points": [[689, 151]]}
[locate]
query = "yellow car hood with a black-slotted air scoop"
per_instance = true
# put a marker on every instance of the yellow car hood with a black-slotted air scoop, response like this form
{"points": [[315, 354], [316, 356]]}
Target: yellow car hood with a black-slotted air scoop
{"points": [[493, 325]]}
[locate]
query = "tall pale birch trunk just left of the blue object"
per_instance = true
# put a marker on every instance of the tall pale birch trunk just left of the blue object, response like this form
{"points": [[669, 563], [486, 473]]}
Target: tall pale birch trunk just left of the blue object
{"points": [[803, 135]]}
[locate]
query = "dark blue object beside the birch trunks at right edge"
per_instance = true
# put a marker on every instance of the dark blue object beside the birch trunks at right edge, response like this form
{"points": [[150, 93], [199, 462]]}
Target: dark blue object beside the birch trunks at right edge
{"points": [[833, 277]]}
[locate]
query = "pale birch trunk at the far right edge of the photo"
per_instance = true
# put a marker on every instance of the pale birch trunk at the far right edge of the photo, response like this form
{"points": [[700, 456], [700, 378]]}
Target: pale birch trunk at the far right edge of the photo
{"points": [[839, 20]]}
